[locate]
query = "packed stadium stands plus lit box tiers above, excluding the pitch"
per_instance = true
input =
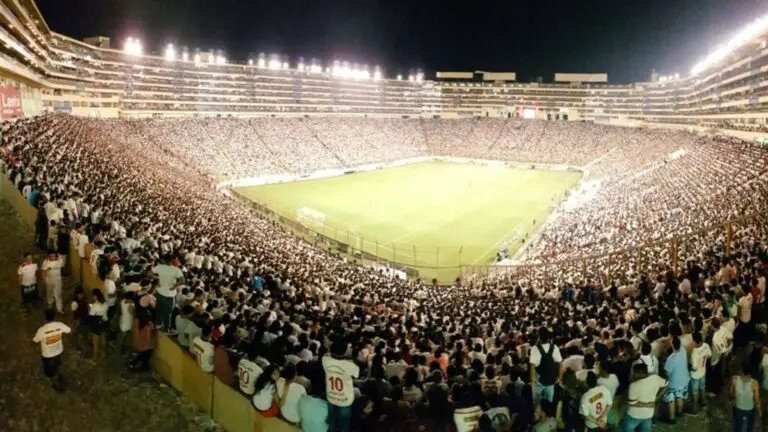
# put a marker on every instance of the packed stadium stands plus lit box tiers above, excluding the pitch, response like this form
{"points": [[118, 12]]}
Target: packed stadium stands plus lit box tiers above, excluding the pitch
{"points": [[670, 251]]}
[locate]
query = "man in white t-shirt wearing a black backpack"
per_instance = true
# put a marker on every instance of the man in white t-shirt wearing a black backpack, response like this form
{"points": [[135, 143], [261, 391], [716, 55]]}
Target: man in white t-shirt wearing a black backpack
{"points": [[546, 370]]}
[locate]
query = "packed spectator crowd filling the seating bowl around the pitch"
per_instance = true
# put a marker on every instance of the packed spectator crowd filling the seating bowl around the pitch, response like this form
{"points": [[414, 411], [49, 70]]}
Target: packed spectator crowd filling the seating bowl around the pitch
{"points": [[322, 342]]}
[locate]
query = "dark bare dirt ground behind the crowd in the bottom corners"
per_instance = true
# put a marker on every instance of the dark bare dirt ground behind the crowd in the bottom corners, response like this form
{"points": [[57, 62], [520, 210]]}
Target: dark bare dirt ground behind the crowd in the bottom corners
{"points": [[105, 396]]}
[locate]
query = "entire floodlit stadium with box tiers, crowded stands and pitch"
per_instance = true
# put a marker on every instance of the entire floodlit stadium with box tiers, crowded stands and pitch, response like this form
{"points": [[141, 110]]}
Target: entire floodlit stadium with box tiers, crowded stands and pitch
{"points": [[444, 226]]}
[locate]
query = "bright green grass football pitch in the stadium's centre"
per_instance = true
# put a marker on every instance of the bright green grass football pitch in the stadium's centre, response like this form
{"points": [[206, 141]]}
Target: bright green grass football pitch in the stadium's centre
{"points": [[449, 214]]}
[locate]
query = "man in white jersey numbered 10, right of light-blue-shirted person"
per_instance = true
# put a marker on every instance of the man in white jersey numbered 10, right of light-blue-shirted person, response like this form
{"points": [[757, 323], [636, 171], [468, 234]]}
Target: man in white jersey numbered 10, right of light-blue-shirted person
{"points": [[339, 389]]}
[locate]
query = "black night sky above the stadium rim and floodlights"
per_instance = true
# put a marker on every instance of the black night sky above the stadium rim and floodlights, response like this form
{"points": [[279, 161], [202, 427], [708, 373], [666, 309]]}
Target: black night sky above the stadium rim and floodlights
{"points": [[624, 38]]}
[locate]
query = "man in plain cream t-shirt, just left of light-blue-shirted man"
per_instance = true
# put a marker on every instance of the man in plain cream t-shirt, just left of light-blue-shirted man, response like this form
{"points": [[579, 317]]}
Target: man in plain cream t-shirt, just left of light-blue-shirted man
{"points": [[642, 396]]}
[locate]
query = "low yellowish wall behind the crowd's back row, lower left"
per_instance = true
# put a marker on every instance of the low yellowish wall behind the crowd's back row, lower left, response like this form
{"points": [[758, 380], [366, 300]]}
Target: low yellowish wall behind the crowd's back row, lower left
{"points": [[170, 361]]}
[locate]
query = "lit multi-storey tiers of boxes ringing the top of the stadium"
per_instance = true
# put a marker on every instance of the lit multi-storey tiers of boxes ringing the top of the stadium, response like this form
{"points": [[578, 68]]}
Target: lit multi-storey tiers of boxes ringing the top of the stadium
{"points": [[50, 72]]}
